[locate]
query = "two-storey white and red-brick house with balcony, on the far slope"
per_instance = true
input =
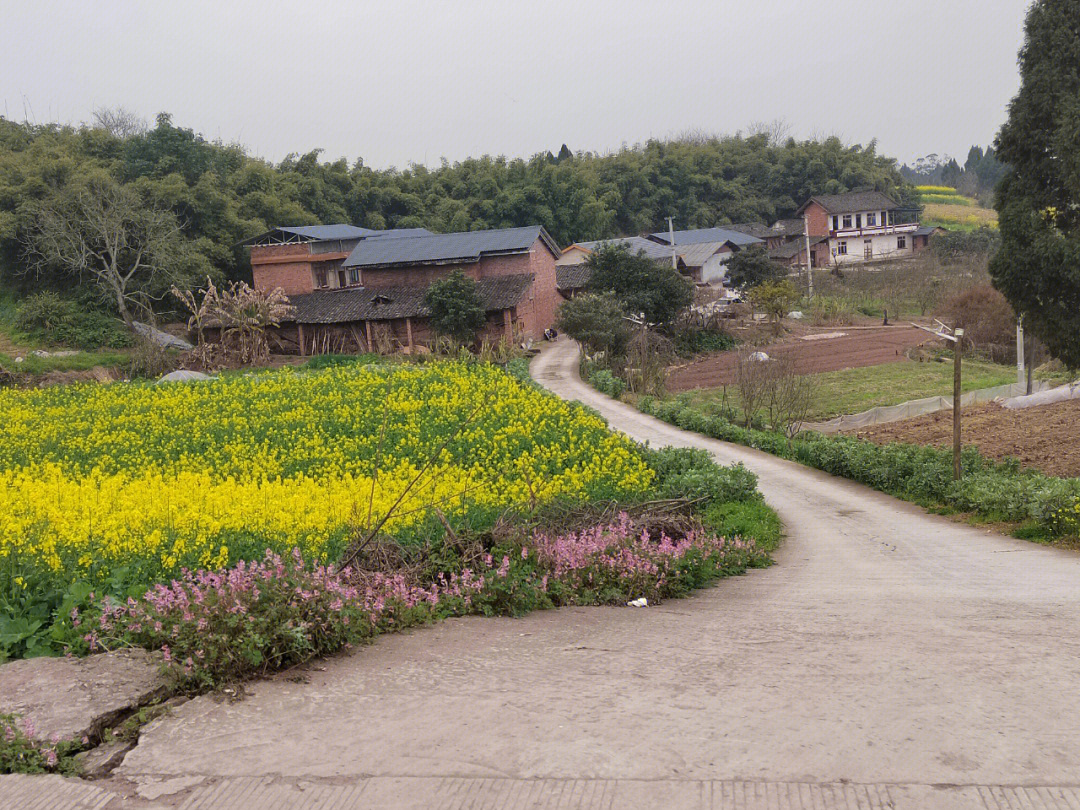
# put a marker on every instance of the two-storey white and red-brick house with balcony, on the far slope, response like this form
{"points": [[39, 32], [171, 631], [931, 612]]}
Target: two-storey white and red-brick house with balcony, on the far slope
{"points": [[862, 226]]}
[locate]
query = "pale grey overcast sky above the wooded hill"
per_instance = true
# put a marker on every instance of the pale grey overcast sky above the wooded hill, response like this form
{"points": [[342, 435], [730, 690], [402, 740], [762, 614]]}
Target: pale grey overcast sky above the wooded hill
{"points": [[399, 82]]}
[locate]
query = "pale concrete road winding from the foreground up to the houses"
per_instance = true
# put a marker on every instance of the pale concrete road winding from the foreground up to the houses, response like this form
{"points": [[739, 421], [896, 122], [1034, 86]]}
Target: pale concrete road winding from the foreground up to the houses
{"points": [[893, 659]]}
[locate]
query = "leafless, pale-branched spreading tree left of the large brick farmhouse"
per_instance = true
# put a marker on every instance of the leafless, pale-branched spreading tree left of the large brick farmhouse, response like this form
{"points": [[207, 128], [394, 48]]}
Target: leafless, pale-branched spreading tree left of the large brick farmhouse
{"points": [[109, 233]]}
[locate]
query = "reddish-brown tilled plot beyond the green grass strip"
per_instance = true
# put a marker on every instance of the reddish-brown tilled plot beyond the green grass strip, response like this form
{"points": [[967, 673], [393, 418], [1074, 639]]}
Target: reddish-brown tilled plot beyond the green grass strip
{"points": [[860, 347]]}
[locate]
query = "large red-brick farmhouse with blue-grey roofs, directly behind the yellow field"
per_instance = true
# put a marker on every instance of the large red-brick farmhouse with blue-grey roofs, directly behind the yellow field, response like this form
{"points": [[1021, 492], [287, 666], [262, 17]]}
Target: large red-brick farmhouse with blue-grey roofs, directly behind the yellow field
{"points": [[356, 290]]}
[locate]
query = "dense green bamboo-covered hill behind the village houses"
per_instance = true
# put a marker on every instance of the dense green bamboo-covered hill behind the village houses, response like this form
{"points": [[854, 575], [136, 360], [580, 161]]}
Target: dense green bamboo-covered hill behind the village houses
{"points": [[223, 196]]}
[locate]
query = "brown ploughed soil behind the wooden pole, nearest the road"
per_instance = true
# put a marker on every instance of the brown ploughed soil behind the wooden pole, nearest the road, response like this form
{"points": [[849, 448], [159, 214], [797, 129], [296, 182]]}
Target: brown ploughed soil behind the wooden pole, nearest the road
{"points": [[1045, 438]]}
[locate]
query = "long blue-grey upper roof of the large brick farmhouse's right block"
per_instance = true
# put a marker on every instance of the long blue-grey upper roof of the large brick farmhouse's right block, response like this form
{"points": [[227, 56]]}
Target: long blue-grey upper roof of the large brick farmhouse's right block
{"points": [[448, 248]]}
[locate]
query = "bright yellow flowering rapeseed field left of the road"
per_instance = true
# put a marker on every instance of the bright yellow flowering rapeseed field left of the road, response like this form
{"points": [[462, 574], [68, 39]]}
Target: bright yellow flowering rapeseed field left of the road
{"points": [[129, 483]]}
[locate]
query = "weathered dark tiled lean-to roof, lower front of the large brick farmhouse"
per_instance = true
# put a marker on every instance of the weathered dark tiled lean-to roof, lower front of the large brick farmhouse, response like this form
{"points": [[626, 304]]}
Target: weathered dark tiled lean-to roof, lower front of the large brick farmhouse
{"points": [[385, 304]]}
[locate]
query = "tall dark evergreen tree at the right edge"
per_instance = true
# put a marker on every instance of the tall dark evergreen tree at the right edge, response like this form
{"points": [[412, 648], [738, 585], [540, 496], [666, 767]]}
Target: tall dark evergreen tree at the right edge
{"points": [[1038, 267]]}
